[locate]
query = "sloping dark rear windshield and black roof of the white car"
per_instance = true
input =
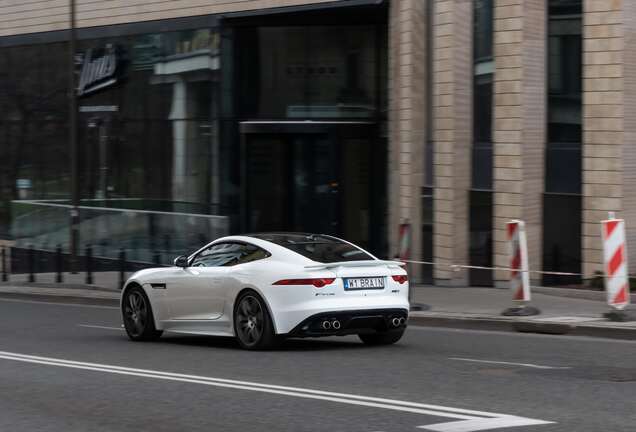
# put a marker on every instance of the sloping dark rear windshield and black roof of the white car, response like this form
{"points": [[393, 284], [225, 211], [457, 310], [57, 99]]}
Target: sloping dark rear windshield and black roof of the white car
{"points": [[320, 248]]}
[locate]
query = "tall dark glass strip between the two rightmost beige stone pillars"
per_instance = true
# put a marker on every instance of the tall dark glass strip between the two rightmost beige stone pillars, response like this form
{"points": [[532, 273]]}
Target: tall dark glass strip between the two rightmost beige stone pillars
{"points": [[562, 199]]}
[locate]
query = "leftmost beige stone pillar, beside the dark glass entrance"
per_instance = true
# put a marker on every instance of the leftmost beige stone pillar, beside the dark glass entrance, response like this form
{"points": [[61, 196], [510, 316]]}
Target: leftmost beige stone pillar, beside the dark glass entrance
{"points": [[407, 120]]}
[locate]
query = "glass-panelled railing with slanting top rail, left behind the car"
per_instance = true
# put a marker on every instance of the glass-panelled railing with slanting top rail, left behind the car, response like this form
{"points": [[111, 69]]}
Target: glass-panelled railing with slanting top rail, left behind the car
{"points": [[143, 233]]}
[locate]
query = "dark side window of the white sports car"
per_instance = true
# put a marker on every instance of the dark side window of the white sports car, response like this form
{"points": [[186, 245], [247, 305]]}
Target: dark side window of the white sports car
{"points": [[228, 254]]}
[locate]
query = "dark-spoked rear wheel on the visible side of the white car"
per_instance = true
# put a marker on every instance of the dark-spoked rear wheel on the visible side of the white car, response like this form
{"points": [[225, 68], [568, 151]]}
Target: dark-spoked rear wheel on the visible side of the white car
{"points": [[253, 325]]}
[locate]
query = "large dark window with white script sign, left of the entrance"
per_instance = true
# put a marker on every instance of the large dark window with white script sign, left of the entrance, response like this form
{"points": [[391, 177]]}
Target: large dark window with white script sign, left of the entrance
{"points": [[148, 128]]}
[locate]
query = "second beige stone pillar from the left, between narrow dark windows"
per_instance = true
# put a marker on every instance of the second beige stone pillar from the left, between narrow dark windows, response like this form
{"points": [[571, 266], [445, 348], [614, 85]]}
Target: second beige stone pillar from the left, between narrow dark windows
{"points": [[452, 135]]}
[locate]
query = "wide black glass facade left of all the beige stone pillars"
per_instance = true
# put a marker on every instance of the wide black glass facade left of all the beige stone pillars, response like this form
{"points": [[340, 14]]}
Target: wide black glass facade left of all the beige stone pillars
{"points": [[171, 149]]}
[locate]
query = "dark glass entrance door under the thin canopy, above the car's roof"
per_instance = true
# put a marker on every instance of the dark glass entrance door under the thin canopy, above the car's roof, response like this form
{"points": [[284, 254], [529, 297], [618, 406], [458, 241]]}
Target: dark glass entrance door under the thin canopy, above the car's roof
{"points": [[292, 183]]}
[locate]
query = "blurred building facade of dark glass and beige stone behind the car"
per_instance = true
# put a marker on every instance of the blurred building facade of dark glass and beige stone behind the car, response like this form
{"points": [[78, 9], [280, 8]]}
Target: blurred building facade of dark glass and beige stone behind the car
{"points": [[414, 127]]}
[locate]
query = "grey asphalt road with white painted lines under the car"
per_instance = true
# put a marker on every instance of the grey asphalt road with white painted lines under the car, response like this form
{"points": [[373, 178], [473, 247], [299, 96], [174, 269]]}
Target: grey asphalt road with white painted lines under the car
{"points": [[71, 368]]}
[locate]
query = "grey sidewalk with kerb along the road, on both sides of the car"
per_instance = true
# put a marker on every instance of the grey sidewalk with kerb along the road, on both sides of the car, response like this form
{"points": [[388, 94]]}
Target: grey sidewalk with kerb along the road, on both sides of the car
{"points": [[464, 308]]}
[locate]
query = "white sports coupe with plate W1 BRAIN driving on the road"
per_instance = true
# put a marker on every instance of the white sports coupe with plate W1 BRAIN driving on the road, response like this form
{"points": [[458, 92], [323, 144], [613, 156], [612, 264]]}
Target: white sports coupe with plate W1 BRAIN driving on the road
{"points": [[262, 288]]}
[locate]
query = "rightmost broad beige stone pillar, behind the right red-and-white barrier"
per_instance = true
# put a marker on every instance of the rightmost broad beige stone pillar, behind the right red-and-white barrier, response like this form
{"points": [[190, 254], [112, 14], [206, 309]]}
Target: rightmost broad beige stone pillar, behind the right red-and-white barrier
{"points": [[603, 138]]}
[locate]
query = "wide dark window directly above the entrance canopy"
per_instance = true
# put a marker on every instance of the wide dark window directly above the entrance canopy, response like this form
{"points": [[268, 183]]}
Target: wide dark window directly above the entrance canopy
{"points": [[320, 72]]}
